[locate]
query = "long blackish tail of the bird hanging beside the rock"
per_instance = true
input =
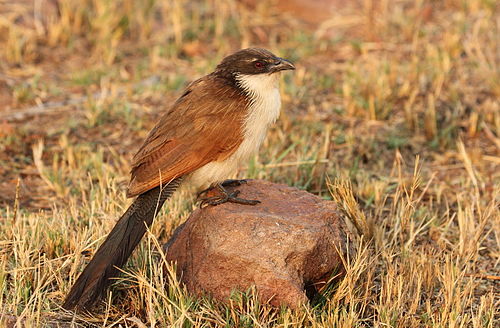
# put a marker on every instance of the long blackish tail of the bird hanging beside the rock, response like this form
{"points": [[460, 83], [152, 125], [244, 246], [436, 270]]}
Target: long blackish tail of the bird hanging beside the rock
{"points": [[117, 247]]}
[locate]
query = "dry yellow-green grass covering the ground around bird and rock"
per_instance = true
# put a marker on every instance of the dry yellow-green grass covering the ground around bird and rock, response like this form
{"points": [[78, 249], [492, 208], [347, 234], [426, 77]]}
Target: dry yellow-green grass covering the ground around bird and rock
{"points": [[393, 112]]}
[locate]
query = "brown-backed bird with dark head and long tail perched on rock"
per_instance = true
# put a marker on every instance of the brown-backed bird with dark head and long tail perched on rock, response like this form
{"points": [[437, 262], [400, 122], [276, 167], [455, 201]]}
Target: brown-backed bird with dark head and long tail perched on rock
{"points": [[217, 124]]}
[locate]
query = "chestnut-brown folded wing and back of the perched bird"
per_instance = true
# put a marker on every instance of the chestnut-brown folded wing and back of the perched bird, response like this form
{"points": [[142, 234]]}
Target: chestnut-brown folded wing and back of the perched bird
{"points": [[204, 125]]}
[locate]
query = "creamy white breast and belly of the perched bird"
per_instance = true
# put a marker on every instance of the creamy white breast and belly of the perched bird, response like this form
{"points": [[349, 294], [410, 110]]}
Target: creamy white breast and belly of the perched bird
{"points": [[264, 109]]}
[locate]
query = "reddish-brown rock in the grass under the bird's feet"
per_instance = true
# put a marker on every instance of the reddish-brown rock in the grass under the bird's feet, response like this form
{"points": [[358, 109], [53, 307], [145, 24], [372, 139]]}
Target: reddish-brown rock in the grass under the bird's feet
{"points": [[286, 246]]}
